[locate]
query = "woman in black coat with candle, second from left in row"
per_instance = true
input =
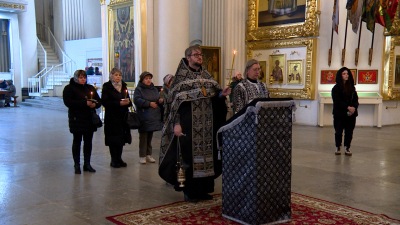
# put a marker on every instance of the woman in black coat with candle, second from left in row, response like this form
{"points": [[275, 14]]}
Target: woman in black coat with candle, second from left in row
{"points": [[115, 99]]}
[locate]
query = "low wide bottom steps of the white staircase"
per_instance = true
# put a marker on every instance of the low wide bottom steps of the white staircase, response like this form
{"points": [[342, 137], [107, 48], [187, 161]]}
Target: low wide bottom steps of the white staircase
{"points": [[54, 103]]}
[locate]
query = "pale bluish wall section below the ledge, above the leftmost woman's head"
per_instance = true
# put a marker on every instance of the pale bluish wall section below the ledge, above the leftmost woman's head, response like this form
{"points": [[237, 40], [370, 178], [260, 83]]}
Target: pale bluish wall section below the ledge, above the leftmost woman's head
{"points": [[80, 50]]}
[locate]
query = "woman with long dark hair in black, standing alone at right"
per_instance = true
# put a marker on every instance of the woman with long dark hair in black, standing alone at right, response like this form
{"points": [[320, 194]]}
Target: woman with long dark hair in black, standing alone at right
{"points": [[345, 104]]}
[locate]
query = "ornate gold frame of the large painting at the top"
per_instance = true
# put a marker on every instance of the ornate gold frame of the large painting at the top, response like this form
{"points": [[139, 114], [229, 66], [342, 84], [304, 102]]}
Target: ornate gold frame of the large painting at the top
{"points": [[308, 28]]}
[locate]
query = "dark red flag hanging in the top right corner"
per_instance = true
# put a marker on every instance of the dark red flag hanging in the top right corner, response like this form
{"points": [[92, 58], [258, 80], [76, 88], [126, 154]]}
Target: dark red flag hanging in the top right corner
{"points": [[385, 12]]}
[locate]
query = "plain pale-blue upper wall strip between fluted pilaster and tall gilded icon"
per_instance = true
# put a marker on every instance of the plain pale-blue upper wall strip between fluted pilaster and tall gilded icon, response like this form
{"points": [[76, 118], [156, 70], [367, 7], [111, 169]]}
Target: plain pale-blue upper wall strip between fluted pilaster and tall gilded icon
{"points": [[92, 18]]}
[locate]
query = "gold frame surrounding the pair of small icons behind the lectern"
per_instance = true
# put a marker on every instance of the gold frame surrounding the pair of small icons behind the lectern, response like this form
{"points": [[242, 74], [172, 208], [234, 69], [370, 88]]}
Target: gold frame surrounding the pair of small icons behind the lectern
{"points": [[308, 92]]}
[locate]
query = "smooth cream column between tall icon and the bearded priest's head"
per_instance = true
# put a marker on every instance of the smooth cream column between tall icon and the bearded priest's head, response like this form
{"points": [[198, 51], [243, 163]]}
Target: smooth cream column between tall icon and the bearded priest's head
{"points": [[171, 36]]}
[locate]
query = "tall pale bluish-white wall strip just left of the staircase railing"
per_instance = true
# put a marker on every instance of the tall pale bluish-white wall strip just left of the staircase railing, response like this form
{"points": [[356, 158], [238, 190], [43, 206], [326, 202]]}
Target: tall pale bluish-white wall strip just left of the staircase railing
{"points": [[27, 31]]}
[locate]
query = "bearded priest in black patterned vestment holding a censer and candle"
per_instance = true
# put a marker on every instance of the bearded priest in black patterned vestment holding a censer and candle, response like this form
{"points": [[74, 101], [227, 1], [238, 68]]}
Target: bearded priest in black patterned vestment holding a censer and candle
{"points": [[195, 110]]}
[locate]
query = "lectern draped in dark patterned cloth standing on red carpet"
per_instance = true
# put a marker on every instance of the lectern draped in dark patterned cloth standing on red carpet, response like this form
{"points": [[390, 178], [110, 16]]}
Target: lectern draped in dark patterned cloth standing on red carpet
{"points": [[256, 181]]}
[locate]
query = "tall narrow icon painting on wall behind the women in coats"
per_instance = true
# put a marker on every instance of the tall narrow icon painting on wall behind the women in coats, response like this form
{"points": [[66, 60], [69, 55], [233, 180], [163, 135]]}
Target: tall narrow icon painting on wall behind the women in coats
{"points": [[121, 40]]}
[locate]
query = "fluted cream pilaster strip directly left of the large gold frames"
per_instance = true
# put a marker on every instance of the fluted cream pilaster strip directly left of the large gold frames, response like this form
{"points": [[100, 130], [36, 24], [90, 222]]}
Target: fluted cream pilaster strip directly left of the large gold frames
{"points": [[235, 36]]}
